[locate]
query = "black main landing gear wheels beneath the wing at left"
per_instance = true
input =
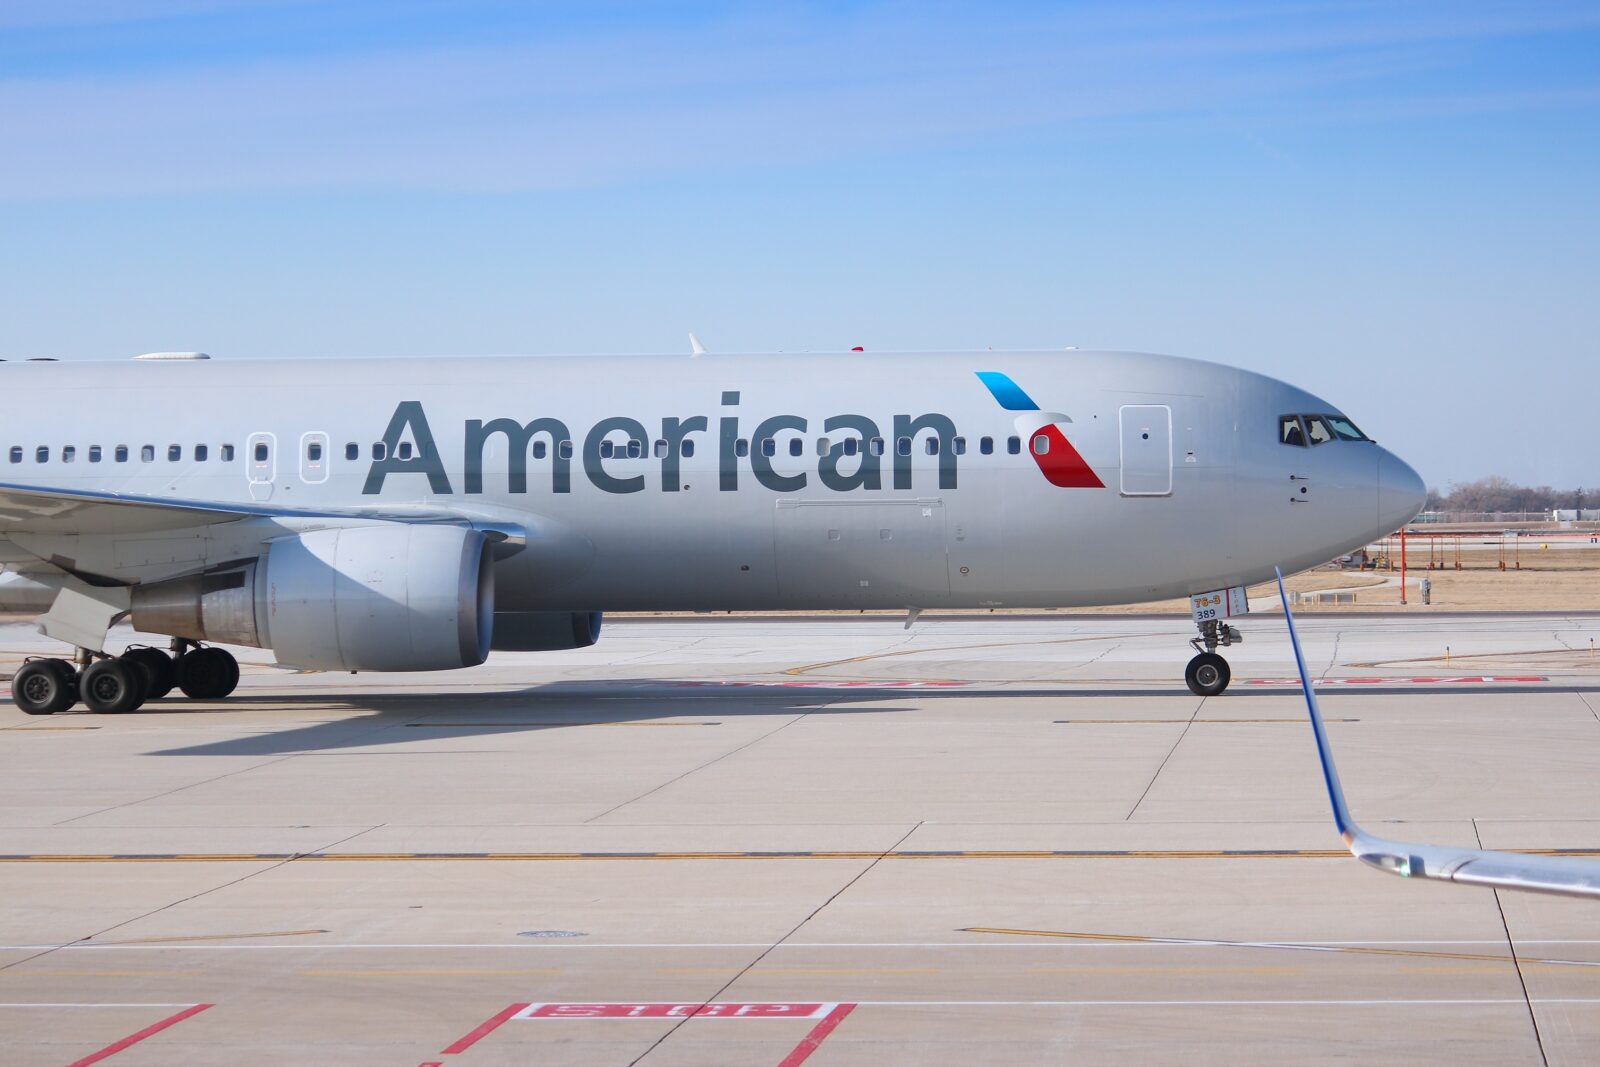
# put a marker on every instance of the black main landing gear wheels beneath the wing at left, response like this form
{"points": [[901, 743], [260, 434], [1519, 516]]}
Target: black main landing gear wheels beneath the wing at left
{"points": [[122, 684]]}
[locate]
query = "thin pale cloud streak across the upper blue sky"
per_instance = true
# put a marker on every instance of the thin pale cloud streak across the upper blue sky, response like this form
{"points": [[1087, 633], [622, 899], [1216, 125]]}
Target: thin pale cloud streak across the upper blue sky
{"points": [[588, 106]]}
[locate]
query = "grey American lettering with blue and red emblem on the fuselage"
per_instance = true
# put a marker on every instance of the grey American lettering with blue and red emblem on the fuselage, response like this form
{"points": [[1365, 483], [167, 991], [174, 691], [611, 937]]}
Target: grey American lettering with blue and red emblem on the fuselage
{"points": [[850, 455]]}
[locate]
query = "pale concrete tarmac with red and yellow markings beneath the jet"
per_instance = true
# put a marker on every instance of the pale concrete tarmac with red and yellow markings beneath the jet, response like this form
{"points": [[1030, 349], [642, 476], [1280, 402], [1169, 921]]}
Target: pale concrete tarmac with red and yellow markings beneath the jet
{"points": [[826, 841]]}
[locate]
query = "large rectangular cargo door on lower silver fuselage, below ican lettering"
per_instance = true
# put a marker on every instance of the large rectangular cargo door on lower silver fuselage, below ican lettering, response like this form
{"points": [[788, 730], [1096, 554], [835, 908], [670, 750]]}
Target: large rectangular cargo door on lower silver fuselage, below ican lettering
{"points": [[863, 553]]}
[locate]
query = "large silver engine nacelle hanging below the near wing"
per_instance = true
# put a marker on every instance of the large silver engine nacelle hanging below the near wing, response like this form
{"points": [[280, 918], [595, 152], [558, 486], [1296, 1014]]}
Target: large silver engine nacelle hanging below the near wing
{"points": [[402, 597]]}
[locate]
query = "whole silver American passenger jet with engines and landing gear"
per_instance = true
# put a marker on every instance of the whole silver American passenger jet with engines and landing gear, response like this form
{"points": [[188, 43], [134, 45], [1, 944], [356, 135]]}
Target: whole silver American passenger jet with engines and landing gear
{"points": [[417, 514]]}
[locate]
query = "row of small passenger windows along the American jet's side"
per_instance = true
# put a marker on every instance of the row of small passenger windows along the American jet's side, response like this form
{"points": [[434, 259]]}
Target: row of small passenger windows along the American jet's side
{"points": [[609, 450]]}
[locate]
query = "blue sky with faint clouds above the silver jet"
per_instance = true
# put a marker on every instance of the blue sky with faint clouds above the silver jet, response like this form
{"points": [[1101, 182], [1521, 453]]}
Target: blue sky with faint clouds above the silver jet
{"points": [[1393, 206]]}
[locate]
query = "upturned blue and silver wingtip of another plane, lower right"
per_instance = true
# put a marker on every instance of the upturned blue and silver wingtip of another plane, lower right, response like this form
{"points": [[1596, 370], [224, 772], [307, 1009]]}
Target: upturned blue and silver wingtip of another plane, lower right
{"points": [[1566, 876]]}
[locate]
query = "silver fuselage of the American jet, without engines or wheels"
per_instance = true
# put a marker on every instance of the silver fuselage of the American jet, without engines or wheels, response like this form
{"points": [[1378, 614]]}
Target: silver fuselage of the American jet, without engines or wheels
{"points": [[710, 508]]}
